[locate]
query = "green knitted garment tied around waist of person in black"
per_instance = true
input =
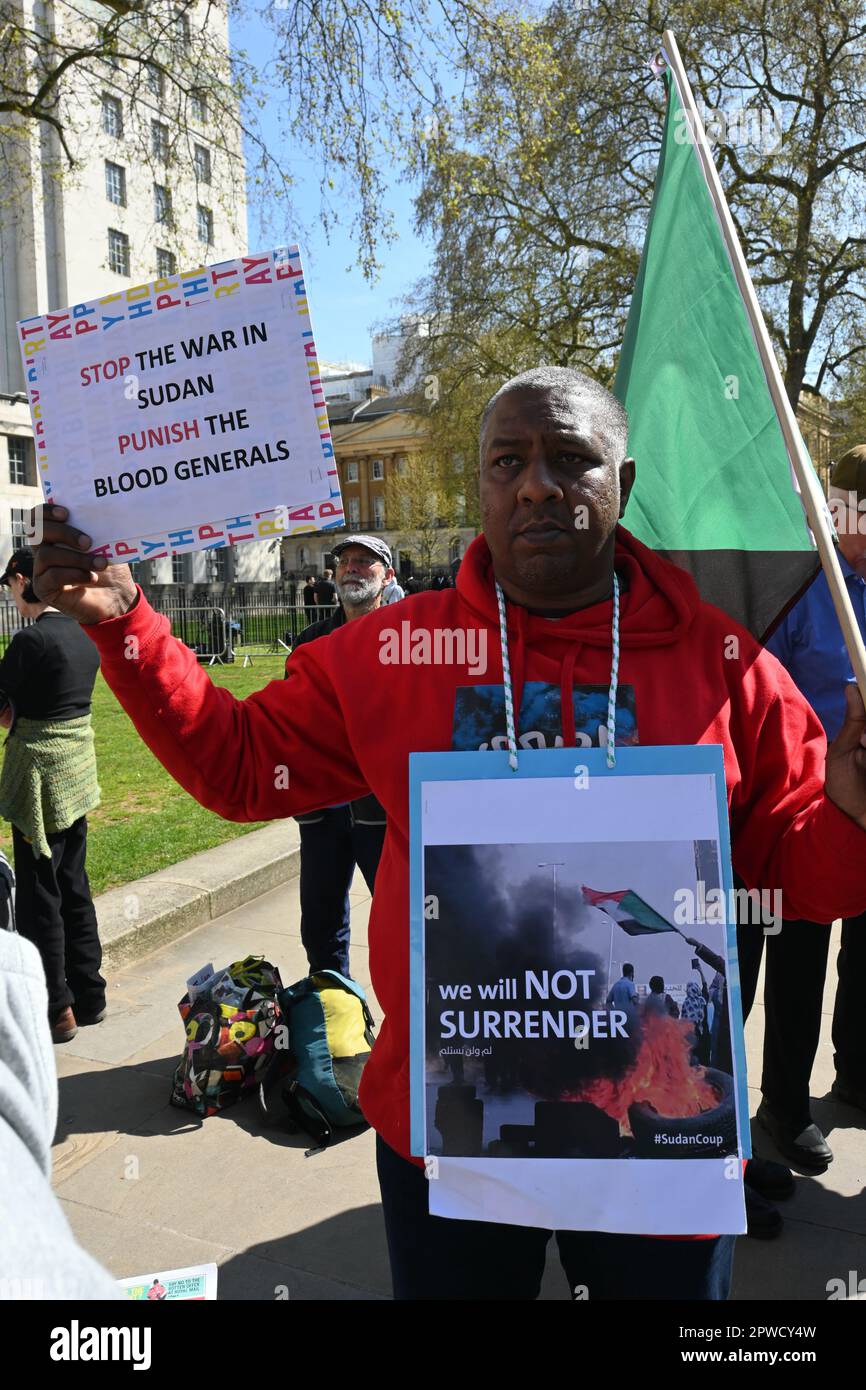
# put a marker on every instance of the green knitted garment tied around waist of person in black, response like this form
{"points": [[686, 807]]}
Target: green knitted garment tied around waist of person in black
{"points": [[49, 778]]}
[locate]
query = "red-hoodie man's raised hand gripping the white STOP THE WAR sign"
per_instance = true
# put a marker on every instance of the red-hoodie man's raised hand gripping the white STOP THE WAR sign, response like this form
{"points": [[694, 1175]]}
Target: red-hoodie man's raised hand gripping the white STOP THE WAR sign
{"points": [[69, 578]]}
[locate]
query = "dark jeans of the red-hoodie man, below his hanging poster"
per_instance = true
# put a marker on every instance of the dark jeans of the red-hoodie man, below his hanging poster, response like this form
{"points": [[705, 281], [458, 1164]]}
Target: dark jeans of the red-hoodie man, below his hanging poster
{"points": [[434, 1259]]}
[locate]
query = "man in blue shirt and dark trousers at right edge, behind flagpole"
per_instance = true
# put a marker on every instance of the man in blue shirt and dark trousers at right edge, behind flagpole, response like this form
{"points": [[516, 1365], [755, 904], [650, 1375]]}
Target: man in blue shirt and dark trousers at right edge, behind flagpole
{"points": [[810, 644]]}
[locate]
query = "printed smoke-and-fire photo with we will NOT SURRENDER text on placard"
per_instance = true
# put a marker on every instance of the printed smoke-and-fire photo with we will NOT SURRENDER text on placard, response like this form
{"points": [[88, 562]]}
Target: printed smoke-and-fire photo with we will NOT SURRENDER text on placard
{"points": [[580, 1024]]}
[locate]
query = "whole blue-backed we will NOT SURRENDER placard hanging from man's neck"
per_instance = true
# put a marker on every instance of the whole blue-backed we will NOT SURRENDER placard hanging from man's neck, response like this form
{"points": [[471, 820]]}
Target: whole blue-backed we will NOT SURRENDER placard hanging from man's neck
{"points": [[578, 1053]]}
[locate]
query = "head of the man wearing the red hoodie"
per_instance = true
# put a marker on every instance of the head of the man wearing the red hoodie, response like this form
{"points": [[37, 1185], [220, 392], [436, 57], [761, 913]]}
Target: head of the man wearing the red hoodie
{"points": [[554, 484]]}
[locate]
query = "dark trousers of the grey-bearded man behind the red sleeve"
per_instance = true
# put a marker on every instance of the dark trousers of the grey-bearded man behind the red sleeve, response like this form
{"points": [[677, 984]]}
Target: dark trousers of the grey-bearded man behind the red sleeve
{"points": [[330, 850]]}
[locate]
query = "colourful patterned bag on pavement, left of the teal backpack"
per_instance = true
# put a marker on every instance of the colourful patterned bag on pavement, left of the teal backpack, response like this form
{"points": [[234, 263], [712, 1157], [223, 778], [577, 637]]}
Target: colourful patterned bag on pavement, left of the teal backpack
{"points": [[231, 1021]]}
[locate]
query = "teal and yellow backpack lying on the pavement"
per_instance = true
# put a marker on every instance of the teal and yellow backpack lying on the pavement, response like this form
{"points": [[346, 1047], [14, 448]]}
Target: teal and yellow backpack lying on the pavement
{"points": [[315, 1081]]}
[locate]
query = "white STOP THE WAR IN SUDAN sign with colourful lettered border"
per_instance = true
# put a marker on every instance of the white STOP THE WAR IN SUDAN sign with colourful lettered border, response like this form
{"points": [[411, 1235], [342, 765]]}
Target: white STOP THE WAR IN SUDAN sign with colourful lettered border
{"points": [[163, 407]]}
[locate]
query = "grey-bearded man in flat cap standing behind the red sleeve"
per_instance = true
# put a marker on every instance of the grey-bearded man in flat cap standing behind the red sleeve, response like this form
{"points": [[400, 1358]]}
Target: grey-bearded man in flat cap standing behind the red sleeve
{"points": [[337, 839]]}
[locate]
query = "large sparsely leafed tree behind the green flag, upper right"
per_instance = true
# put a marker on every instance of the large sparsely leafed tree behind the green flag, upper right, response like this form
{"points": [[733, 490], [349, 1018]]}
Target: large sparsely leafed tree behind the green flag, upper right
{"points": [[539, 186]]}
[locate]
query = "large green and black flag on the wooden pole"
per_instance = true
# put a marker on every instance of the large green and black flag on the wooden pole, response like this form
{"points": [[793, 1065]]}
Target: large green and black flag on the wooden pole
{"points": [[714, 489]]}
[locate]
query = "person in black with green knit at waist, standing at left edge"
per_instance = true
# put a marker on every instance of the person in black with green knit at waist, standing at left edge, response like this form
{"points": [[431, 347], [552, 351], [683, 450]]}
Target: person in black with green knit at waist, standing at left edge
{"points": [[47, 792]]}
